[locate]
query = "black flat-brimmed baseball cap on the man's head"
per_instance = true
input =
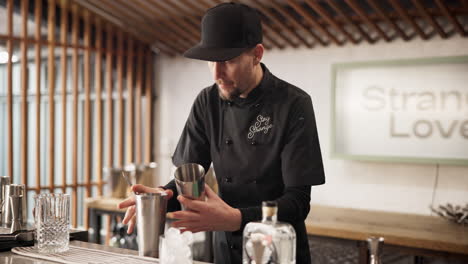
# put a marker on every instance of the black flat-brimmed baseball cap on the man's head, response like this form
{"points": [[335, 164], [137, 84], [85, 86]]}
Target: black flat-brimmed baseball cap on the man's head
{"points": [[227, 30]]}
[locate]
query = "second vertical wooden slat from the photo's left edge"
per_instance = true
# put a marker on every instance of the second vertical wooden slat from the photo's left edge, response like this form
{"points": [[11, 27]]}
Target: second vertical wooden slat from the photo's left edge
{"points": [[24, 93]]}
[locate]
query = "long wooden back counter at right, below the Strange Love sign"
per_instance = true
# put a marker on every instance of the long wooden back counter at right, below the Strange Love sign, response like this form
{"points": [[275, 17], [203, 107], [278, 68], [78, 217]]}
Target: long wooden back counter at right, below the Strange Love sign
{"points": [[416, 235]]}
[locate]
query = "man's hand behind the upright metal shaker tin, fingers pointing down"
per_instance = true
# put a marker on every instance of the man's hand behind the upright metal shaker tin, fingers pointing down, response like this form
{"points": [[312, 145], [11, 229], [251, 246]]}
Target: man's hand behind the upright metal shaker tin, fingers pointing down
{"points": [[130, 203]]}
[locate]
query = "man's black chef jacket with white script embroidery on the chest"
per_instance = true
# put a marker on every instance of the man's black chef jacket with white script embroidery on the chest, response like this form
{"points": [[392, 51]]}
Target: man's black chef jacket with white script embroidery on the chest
{"points": [[263, 147]]}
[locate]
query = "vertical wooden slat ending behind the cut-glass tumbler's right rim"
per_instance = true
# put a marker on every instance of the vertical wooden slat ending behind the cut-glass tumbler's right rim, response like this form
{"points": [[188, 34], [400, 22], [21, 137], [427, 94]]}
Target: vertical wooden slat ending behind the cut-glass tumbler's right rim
{"points": [[63, 63]]}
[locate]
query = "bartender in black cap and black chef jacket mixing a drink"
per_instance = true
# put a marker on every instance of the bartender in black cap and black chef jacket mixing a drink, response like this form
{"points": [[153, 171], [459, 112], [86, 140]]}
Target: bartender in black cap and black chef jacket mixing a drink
{"points": [[258, 131]]}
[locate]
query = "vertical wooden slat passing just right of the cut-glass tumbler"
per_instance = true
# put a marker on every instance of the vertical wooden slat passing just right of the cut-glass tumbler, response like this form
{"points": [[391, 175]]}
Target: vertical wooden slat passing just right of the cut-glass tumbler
{"points": [[75, 37]]}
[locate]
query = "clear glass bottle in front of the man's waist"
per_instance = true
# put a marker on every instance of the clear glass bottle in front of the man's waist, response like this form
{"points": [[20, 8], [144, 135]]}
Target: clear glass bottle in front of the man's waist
{"points": [[269, 241]]}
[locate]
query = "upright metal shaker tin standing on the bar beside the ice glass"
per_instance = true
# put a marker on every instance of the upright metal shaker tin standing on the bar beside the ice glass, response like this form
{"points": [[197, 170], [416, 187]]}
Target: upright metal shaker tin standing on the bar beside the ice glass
{"points": [[151, 219]]}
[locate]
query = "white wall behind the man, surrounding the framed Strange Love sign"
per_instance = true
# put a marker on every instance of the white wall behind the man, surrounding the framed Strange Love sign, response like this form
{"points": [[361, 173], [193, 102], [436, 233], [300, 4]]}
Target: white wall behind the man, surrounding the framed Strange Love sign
{"points": [[409, 188]]}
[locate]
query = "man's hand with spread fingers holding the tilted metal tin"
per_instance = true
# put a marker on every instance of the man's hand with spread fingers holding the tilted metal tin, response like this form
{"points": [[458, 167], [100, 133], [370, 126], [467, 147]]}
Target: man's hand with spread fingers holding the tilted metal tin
{"points": [[210, 215]]}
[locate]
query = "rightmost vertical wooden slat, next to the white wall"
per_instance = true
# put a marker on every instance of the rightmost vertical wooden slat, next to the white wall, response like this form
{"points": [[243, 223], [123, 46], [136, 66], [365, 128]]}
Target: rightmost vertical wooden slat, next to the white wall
{"points": [[149, 106]]}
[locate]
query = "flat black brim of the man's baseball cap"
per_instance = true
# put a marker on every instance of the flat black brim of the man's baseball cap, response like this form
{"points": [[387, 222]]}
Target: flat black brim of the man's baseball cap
{"points": [[199, 52]]}
